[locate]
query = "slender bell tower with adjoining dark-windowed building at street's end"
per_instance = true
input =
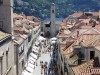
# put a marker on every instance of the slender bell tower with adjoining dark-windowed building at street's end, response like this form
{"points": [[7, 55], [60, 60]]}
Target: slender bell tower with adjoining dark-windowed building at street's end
{"points": [[50, 28]]}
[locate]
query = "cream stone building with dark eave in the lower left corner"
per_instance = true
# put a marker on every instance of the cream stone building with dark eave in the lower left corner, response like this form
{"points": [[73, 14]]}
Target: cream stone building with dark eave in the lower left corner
{"points": [[6, 55]]}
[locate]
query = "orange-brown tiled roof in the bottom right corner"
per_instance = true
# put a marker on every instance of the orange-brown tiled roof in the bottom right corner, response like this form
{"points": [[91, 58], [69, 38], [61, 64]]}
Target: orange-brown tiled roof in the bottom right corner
{"points": [[86, 69]]}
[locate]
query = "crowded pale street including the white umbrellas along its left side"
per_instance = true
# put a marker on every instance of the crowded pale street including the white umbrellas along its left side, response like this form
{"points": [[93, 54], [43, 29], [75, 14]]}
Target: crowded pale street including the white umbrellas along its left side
{"points": [[45, 63]]}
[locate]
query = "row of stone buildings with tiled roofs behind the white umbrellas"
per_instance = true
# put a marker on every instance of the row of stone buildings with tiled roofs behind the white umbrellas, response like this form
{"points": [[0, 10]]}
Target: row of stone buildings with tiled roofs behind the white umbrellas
{"points": [[25, 33]]}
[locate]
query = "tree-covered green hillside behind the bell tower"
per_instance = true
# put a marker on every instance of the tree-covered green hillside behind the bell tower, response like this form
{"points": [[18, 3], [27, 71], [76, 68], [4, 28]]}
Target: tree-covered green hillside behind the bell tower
{"points": [[41, 8]]}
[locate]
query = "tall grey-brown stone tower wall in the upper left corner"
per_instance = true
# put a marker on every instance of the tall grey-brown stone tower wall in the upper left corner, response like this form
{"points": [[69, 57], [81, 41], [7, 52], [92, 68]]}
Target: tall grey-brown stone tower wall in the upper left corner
{"points": [[6, 15]]}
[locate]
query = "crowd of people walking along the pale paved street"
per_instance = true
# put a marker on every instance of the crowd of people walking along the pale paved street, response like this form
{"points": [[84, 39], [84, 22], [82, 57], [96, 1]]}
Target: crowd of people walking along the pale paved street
{"points": [[48, 68]]}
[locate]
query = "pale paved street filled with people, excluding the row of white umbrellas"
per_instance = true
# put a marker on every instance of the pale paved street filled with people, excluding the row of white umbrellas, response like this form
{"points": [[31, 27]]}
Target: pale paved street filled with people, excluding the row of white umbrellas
{"points": [[45, 63]]}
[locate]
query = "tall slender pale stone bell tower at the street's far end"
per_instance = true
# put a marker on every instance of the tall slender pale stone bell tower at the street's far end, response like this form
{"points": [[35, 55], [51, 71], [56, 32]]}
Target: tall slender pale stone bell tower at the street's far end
{"points": [[53, 26]]}
